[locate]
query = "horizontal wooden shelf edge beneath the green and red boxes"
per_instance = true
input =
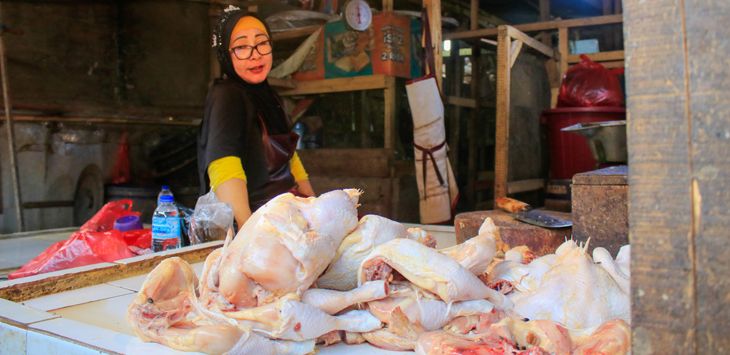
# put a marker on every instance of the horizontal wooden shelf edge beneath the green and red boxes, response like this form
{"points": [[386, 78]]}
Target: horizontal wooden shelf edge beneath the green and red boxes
{"points": [[371, 82]]}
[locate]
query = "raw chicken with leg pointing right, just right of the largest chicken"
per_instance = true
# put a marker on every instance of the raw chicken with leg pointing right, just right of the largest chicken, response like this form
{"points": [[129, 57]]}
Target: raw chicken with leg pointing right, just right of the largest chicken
{"points": [[427, 269]]}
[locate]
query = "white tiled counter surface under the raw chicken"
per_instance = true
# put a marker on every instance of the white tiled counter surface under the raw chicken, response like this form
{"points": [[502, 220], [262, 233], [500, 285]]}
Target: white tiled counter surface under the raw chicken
{"points": [[92, 320]]}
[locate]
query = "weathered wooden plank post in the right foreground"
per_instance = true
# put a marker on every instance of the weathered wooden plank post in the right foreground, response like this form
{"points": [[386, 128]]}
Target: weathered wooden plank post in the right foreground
{"points": [[678, 136]]}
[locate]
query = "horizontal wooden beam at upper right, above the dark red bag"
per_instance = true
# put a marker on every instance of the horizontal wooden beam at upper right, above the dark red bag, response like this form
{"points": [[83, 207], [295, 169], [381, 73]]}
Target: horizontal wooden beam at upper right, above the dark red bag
{"points": [[538, 26]]}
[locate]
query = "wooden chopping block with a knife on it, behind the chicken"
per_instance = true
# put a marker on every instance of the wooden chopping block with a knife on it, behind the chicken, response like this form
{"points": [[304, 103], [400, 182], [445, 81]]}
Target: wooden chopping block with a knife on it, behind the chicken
{"points": [[513, 232]]}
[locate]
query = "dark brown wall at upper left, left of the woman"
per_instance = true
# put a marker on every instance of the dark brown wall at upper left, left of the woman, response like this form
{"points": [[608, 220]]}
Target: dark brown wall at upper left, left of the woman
{"points": [[106, 56]]}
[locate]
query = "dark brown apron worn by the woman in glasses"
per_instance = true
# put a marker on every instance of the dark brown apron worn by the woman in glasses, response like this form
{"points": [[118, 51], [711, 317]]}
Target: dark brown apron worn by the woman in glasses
{"points": [[278, 151]]}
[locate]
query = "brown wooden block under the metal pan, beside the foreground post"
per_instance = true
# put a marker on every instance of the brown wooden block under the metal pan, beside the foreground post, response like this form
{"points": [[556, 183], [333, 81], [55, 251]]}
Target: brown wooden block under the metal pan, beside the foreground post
{"points": [[600, 208]]}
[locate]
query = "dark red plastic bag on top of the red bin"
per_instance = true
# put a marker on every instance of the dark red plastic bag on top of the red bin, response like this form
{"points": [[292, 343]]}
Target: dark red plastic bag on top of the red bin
{"points": [[589, 84]]}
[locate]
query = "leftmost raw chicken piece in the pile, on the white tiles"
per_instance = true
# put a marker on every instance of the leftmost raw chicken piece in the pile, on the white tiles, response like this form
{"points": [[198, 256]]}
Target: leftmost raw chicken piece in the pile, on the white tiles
{"points": [[164, 311]]}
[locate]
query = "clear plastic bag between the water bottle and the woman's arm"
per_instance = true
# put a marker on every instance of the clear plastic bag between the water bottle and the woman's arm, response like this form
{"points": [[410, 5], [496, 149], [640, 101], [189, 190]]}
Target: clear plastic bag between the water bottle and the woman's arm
{"points": [[211, 219]]}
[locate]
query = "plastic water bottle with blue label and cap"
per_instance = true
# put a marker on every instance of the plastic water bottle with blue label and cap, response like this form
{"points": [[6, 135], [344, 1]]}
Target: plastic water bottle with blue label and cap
{"points": [[166, 232]]}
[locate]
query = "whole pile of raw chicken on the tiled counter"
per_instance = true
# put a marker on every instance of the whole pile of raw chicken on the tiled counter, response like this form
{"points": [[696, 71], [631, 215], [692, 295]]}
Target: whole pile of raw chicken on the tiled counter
{"points": [[305, 272]]}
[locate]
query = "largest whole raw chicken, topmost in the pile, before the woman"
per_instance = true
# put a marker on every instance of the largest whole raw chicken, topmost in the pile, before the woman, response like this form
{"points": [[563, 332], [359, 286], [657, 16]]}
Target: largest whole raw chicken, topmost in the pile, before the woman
{"points": [[282, 248]]}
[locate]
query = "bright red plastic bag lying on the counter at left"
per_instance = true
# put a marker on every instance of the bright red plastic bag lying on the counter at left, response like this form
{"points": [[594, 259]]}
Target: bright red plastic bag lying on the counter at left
{"points": [[95, 242]]}
